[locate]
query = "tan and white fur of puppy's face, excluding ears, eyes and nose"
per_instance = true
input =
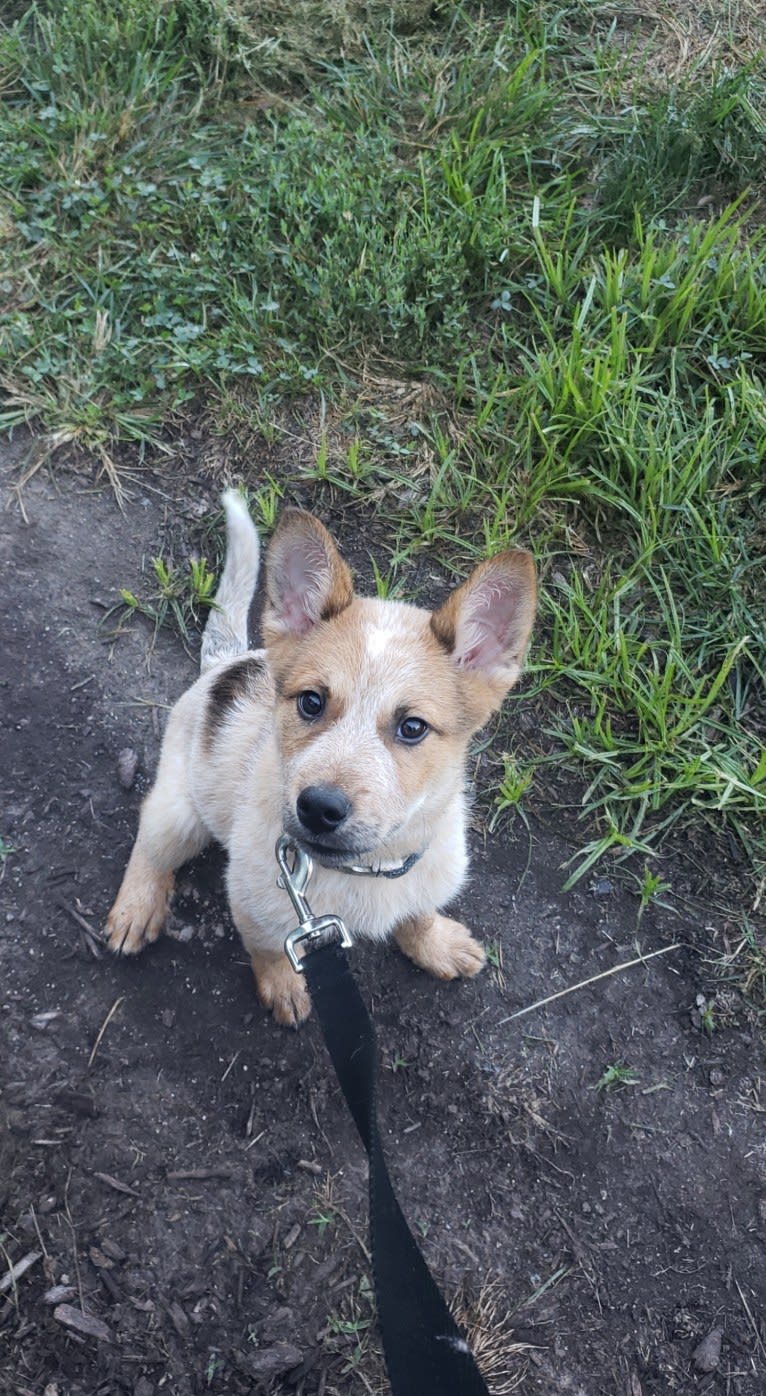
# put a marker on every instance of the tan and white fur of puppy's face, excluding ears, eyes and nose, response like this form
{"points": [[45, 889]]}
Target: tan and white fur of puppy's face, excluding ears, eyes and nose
{"points": [[375, 665]]}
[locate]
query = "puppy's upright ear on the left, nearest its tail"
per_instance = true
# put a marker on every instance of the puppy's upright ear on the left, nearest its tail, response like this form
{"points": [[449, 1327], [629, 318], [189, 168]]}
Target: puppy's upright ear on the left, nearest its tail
{"points": [[308, 581]]}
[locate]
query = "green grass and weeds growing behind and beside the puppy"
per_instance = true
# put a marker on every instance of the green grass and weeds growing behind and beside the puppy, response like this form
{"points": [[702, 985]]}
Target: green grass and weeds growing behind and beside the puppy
{"points": [[513, 280]]}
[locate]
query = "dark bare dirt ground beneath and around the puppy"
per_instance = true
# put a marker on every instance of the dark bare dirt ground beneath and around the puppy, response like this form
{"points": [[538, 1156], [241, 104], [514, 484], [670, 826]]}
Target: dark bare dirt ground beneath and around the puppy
{"points": [[183, 1172]]}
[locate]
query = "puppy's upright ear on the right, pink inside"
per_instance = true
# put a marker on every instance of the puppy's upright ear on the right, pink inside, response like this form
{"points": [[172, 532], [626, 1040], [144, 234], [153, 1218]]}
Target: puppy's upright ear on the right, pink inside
{"points": [[486, 628]]}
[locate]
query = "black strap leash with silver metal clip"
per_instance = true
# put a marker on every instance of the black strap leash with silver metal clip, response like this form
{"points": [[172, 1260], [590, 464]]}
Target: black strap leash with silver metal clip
{"points": [[426, 1353]]}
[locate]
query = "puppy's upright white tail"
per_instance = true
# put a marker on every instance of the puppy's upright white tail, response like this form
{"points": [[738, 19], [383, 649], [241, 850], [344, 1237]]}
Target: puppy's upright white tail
{"points": [[227, 630]]}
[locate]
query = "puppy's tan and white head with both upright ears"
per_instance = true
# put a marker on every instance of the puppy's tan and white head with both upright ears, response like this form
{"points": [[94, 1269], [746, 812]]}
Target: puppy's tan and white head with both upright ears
{"points": [[376, 701]]}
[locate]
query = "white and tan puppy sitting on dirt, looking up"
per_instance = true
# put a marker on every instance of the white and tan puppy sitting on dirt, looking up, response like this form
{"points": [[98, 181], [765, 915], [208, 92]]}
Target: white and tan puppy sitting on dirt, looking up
{"points": [[350, 732]]}
